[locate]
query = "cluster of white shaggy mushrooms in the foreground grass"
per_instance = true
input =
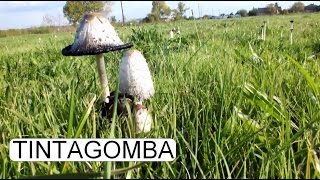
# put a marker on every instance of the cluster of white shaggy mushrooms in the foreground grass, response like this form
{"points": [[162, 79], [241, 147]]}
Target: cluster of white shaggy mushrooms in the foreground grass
{"points": [[95, 36]]}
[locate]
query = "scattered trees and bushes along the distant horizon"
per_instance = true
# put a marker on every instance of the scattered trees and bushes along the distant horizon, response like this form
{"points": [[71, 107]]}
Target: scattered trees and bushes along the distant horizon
{"points": [[74, 10]]}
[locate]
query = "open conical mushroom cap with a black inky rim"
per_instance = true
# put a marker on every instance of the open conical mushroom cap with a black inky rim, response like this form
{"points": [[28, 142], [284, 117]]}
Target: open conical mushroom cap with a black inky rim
{"points": [[95, 35]]}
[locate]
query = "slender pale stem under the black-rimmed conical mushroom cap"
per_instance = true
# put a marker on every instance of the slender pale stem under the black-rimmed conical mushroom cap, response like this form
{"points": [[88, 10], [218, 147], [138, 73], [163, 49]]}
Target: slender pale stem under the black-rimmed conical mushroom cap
{"points": [[103, 77]]}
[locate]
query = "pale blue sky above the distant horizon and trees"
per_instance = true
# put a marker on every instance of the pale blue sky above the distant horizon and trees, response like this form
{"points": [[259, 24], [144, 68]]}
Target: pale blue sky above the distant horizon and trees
{"points": [[25, 14]]}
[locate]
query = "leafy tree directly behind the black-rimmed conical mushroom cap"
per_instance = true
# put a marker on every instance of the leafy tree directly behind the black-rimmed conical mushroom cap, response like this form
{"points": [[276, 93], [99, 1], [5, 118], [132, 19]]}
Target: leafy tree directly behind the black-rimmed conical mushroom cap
{"points": [[74, 10]]}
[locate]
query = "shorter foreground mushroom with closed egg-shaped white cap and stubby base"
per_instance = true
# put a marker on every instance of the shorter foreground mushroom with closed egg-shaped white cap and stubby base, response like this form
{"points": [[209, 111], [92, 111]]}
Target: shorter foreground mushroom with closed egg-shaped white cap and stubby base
{"points": [[136, 80]]}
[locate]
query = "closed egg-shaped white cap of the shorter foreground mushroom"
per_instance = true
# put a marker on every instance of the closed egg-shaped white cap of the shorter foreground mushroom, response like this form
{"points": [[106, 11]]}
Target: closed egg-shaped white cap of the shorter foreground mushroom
{"points": [[135, 76]]}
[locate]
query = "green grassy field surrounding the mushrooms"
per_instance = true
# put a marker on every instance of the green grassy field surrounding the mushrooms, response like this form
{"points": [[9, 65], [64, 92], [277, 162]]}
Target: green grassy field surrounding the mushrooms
{"points": [[238, 107]]}
